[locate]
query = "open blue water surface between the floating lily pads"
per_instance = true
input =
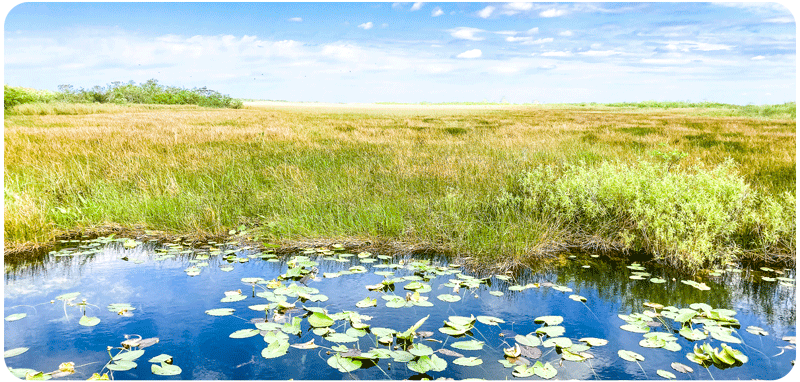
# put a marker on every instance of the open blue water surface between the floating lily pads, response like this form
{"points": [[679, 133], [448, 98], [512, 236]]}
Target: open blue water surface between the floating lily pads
{"points": [[171, 306]]}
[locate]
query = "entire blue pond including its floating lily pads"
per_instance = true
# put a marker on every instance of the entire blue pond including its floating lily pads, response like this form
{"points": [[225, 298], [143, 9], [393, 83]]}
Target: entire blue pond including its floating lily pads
{"points": [[152, 310]]}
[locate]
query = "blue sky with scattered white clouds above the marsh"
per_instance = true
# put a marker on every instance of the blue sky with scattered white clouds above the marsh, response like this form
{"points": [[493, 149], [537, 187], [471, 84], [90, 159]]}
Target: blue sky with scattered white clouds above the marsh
{"points": [[411, 52]]}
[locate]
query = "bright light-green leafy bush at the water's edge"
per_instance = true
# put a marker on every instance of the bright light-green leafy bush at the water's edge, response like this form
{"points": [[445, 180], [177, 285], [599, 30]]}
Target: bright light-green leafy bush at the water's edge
{"points": [[689, 217]]}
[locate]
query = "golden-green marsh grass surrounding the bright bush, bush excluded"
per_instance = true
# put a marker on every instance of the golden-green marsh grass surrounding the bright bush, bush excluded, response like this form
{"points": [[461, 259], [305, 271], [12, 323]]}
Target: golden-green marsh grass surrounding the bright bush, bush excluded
{"points": [[426, 176]]}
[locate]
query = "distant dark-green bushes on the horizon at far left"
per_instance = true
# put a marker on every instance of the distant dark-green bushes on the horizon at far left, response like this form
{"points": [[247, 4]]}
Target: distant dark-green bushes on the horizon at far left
{"points": [[149, 92]]}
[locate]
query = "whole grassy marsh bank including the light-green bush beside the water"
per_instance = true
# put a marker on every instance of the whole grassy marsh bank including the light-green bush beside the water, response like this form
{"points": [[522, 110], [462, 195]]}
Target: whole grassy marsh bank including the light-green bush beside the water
{"points": [[474, 181]]}
